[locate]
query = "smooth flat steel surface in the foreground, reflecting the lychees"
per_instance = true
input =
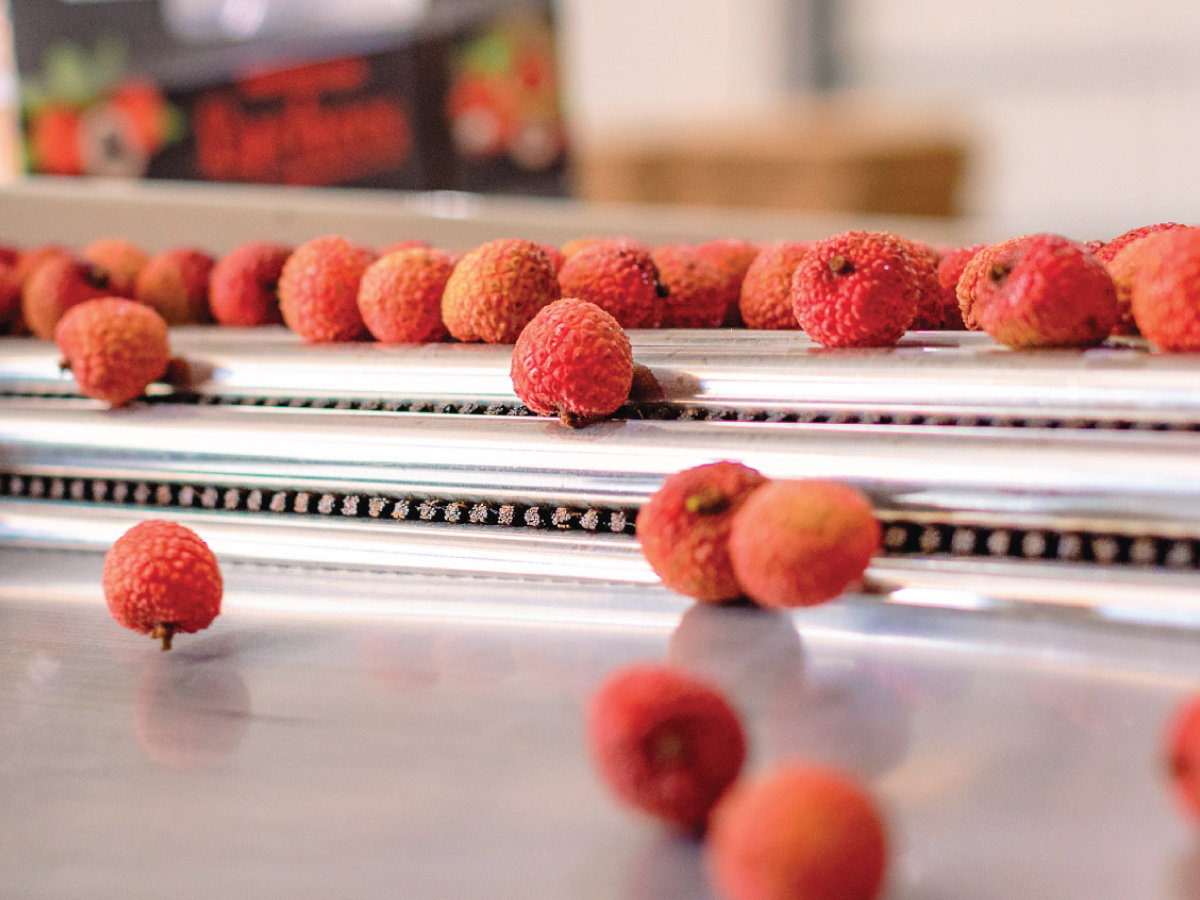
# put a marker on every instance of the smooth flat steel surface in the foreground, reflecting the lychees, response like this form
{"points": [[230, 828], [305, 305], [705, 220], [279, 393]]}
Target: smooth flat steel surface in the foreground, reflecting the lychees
{"points": [[370, 736]]}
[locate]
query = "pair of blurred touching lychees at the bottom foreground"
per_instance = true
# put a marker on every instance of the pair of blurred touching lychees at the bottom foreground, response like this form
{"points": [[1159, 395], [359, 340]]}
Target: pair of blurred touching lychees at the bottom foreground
{"points": [[670, 746]]}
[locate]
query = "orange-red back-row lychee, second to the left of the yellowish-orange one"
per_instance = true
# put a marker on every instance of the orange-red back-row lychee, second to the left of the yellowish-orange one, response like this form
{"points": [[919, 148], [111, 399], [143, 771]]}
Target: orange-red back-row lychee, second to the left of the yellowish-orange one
{"points": [[320, 290]]}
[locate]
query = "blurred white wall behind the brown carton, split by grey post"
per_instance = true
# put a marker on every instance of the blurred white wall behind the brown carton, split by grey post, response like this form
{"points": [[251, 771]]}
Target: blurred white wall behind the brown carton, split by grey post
{"points": [[1088, 112]]}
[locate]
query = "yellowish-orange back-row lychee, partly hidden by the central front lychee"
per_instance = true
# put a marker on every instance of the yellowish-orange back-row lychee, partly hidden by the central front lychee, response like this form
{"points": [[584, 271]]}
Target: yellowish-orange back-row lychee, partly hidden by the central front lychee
{"points": [[497, 289]]}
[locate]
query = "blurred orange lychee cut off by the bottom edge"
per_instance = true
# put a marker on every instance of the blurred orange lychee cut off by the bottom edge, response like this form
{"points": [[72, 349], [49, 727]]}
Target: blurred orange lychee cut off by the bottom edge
{"points": [[799, 832]]}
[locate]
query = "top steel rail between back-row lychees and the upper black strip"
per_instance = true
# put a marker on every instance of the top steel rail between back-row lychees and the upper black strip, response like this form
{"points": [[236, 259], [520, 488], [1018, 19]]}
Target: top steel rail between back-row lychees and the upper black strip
{"points": [[956, 375]]}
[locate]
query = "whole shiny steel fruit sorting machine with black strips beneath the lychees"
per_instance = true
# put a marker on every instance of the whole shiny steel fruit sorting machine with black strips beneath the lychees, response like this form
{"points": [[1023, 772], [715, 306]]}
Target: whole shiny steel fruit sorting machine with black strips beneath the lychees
{"points": [[425, 583]]}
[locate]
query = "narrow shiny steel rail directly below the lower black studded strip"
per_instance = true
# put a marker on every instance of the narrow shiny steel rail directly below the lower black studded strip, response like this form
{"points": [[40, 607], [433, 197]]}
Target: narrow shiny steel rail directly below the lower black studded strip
{"points": [[1142, 595]]}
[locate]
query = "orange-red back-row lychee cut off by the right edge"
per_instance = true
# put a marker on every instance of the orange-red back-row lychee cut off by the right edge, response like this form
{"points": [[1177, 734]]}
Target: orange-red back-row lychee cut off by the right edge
{"points": [[1166, 290]]}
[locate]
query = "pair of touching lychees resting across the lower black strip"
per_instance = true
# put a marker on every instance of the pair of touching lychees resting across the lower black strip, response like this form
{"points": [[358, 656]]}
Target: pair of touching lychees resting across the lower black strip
{"points": [[723, 531]]}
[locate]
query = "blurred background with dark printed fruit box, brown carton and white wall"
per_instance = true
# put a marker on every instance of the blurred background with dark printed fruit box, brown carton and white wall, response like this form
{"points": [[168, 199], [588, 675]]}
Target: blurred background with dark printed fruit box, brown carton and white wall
{"points": [[1042, 116]]}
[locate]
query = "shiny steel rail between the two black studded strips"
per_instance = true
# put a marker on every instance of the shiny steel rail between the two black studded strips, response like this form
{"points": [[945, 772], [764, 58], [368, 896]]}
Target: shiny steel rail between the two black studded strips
{"points": [[1021, 478]]}
